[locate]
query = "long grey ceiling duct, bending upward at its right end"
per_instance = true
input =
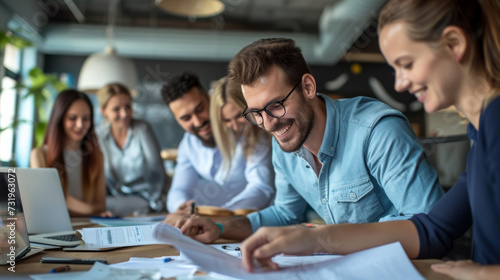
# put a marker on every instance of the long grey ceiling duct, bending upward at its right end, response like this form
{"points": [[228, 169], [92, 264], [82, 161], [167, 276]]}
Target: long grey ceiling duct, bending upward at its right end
{"points": [[340, 26]]}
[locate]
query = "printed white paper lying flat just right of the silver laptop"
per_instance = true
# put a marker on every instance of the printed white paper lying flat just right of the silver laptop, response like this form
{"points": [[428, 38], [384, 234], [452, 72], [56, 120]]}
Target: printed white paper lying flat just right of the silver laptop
{"points": [[103, 237]]}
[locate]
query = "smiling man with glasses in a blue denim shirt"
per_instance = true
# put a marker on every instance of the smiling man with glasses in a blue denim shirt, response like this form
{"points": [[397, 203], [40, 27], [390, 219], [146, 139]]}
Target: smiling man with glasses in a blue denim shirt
{"points": [[353, 160]]}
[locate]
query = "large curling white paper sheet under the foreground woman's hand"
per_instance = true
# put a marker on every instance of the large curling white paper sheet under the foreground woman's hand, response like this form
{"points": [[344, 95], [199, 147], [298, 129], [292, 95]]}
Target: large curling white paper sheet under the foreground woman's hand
{"points": [[384, 262]]}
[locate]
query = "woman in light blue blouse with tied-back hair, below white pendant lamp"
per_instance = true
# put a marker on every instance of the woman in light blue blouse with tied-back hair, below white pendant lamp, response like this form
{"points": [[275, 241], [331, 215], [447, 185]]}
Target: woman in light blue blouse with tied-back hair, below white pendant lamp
{"points": [[135, 176]]}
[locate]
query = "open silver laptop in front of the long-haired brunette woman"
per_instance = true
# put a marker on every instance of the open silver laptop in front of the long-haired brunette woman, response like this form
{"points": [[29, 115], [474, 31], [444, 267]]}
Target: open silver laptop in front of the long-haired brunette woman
{"points": [[44, 205]]}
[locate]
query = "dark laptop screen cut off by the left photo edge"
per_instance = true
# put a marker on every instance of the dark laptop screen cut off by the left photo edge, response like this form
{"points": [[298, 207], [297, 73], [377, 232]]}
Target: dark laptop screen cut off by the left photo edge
{"points": [[14, 241]]}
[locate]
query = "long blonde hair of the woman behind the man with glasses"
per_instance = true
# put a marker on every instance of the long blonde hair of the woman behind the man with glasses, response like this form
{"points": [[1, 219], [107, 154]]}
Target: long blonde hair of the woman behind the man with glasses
{"points": [[224, 91]]}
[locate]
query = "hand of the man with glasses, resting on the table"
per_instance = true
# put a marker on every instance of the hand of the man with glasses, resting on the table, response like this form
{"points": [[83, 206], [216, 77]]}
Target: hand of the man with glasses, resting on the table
{"points": [[199, 228]]}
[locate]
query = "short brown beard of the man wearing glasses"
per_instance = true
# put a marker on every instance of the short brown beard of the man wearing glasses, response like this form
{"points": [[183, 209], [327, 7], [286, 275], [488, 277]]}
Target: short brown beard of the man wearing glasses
{"points": [[304, 122]]}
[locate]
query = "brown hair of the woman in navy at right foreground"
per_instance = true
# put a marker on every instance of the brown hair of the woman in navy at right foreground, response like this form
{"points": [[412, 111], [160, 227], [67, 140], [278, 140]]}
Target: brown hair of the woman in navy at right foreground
{"points": [[479, 19]]}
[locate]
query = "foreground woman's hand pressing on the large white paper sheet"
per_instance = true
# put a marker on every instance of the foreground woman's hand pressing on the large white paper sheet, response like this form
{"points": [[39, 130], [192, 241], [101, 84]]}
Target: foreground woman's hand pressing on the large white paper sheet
{"points": [[270, 241]]}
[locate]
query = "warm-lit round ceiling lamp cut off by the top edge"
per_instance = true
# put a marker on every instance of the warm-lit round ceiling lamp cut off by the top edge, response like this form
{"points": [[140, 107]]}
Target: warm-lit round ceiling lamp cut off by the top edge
{"points": [[192, 8]]}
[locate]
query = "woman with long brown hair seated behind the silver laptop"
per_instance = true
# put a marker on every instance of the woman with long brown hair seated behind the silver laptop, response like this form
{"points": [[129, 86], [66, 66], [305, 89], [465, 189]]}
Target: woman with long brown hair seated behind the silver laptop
{"points": [[70, 145]]}
